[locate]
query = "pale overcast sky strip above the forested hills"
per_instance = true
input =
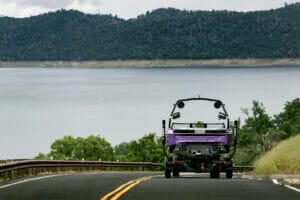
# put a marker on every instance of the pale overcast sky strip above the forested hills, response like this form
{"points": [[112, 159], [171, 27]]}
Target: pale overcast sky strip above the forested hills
{"points": [[130, 8]]}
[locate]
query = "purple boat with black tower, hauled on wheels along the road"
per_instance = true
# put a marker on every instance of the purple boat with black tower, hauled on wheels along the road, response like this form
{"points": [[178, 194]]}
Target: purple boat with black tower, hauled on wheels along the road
{"points": [[198, 145]]}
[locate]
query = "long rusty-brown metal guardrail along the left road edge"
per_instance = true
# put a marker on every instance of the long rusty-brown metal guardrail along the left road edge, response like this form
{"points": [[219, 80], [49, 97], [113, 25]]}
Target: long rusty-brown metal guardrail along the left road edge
{"points": [[26, 168]]}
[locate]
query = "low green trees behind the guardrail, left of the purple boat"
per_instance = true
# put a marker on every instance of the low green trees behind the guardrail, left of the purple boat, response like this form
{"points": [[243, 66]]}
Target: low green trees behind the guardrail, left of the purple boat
{"points": [[146, 149]]}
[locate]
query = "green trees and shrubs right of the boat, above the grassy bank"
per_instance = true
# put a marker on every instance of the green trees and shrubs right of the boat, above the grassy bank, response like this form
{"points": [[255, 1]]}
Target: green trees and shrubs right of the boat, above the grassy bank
{"points": [[261, 132]]}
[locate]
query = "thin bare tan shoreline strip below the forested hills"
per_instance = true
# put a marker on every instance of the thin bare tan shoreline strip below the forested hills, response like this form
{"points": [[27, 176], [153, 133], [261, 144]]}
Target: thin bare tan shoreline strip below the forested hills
{"points": [[154, 63]]}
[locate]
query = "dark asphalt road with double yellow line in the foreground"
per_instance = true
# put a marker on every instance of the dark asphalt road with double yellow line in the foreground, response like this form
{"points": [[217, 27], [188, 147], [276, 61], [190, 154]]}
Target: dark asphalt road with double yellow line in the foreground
{"points": [[143, 185]]}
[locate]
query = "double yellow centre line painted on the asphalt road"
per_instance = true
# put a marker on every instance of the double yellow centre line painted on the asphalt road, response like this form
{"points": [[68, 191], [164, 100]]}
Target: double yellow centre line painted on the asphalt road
{"points": [[117, 193]]}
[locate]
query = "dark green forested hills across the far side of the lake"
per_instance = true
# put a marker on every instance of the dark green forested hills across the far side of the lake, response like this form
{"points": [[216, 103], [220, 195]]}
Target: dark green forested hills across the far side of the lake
{"points": [[160, 34]]}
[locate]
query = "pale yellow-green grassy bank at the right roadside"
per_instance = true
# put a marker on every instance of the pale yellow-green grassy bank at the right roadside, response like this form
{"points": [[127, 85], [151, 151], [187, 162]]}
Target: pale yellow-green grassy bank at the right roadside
{"points": [[282, 159]]}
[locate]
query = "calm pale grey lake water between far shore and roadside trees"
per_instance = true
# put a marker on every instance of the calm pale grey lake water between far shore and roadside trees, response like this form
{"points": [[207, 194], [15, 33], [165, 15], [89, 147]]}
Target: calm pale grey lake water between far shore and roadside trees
{"points": [[38, 106]]}
